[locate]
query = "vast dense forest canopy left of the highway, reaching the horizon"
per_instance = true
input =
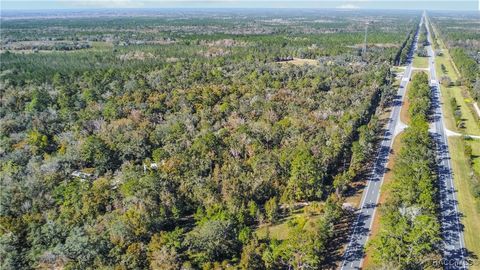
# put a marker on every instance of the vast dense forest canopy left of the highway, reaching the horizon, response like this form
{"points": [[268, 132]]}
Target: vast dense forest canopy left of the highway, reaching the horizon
{"points": [[168, 140]]}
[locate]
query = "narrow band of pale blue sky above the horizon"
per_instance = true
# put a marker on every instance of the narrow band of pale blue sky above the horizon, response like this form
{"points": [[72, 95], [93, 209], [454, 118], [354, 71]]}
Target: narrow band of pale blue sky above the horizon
{"points": [[348, 4]]}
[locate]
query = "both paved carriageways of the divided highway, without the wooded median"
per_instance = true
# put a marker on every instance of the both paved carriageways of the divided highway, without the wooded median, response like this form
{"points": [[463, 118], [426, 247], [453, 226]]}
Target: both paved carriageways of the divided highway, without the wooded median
{"points": [[454, 252]]}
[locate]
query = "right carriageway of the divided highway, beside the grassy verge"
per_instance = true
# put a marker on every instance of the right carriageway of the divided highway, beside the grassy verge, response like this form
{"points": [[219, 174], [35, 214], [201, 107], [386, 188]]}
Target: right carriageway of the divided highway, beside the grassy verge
{"points": [[452, 232]]}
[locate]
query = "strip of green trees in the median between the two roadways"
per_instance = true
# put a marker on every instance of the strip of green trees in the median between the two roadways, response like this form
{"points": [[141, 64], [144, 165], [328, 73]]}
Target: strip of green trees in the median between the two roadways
{"points": [[409, 235]]}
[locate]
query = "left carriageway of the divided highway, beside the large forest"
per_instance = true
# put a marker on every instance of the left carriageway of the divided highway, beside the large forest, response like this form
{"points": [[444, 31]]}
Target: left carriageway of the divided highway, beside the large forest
{"points": [[354, 254]]}
